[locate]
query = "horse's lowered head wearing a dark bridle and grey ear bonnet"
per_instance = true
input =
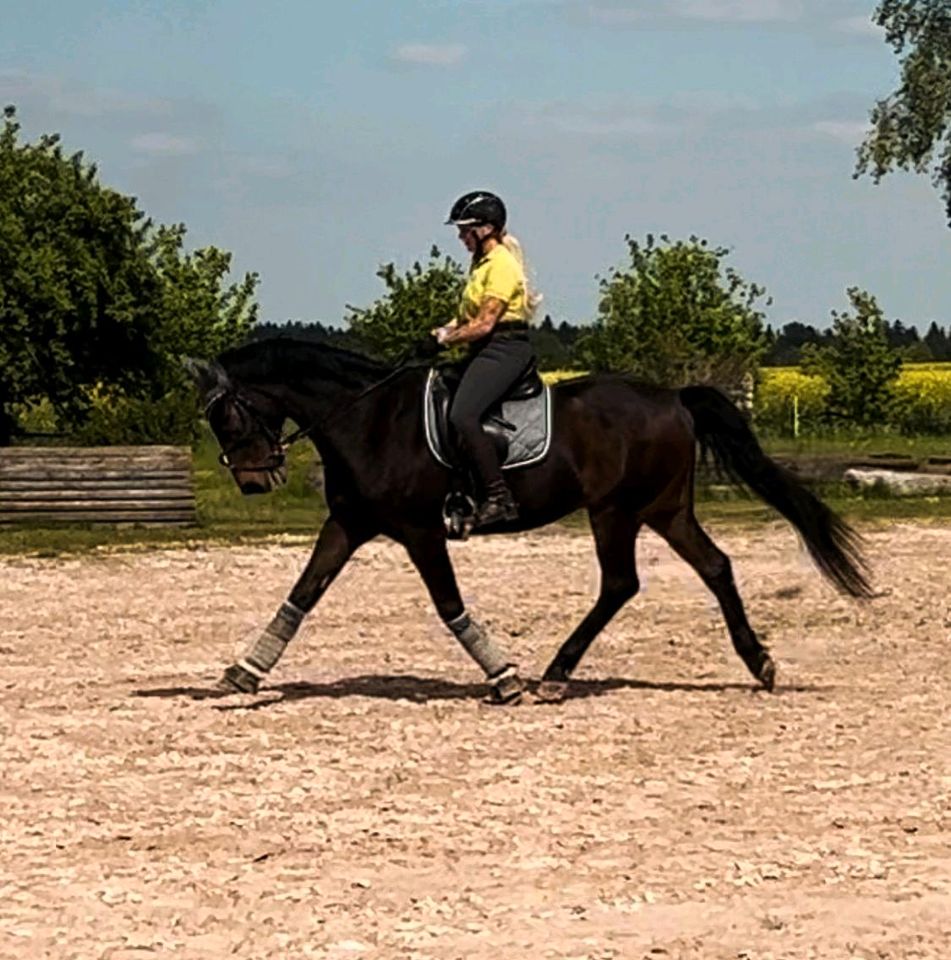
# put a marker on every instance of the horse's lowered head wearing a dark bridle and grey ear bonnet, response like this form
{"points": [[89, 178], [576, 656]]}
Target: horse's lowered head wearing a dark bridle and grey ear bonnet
{"points": [[247, 424]]}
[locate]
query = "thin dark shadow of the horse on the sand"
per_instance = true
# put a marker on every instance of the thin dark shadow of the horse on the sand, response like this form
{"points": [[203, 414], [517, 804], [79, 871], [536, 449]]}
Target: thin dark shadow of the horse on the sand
{"points": [[426, 689]]}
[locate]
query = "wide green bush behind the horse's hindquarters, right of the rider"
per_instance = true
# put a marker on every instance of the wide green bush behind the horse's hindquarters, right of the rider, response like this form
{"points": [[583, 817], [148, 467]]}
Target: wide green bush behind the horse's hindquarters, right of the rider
{"points": [[674, 315]]}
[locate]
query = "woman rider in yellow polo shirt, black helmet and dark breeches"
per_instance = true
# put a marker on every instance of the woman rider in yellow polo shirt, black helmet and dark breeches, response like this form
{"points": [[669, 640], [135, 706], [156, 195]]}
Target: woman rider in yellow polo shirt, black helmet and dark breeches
{"points": [[493, 320]]}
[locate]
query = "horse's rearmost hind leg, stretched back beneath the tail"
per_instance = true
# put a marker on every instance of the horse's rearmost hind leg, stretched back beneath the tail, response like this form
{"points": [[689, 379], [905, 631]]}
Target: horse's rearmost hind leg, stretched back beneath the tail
{"points": [[682, 531]]}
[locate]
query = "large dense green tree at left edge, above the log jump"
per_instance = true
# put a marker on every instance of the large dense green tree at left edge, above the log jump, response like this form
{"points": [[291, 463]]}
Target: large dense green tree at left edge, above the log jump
{"points": [[93, 298]]}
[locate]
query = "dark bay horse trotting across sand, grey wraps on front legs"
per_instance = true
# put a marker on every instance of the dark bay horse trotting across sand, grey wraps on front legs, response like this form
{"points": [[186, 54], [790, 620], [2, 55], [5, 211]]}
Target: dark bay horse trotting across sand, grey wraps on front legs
{"points": [[623, 451]]}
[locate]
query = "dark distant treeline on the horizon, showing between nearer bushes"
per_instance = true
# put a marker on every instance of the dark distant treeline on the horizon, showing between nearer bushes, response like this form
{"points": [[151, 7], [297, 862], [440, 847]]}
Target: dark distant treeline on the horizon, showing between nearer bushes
{"points": [[554, 345]]}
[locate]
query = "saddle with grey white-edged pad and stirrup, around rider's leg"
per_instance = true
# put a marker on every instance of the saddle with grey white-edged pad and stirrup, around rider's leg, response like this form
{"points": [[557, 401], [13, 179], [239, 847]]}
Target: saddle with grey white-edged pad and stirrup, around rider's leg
{"points": [[519, 426]]}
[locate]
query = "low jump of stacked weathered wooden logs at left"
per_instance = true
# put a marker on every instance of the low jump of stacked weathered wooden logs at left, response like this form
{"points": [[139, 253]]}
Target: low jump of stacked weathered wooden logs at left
{"points": [[147, 485]]}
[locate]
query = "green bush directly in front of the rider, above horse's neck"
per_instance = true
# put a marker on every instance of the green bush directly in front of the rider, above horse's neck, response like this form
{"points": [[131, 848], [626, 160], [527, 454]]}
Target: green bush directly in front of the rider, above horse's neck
{"points": [[425, 296]]}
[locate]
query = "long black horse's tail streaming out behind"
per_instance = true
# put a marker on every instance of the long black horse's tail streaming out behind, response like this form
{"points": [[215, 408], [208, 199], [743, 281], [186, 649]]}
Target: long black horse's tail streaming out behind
{"points": [[722, 430]]}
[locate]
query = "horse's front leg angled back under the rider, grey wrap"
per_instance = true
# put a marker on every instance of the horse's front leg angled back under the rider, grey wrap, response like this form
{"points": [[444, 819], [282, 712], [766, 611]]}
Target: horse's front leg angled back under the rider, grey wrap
{"points": [[431, 558]]}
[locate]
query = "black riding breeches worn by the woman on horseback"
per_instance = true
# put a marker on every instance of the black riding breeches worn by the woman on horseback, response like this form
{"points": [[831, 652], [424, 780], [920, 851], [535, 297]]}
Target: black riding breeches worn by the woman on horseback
{"points": [[497, 365]]}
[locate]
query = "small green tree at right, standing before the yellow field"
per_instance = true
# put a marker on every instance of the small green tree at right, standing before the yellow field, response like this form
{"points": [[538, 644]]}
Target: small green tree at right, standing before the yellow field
{"points": [[858, 363]]}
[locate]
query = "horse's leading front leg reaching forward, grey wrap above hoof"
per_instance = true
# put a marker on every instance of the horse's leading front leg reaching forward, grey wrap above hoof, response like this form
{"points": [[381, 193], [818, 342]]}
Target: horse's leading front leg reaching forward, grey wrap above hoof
{"points": [[335, 545]]}
